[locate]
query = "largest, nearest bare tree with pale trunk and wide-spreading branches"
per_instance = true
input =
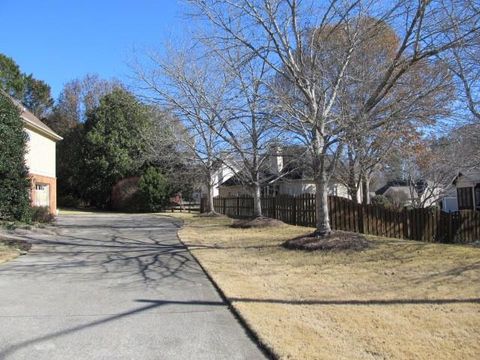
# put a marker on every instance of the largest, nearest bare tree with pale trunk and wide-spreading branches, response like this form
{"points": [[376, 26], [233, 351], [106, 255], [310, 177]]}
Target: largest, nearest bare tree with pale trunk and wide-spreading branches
{"points": [[294, 38]]}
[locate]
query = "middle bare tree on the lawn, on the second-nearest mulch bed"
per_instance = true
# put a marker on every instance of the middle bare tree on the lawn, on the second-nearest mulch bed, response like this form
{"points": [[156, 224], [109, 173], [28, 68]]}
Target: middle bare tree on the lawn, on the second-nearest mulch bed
{"points": [[248, 128]]}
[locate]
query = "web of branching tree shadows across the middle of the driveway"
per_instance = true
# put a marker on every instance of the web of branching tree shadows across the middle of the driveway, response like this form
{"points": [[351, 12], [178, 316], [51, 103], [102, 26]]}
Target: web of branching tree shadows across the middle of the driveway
{"points": [[133, 254]]}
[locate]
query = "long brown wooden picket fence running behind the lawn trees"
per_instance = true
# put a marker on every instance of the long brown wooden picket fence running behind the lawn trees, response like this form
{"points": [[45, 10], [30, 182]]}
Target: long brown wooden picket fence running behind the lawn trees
{"points": [[430, 225]]}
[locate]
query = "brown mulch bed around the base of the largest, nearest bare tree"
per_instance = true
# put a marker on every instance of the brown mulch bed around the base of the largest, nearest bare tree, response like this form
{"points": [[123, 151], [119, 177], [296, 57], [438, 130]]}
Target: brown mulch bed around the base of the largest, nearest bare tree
{"points": [[336, 241]]}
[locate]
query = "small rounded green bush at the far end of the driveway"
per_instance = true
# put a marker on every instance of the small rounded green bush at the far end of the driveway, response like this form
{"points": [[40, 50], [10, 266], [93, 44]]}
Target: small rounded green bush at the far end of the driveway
{"points": [[154, 190]]}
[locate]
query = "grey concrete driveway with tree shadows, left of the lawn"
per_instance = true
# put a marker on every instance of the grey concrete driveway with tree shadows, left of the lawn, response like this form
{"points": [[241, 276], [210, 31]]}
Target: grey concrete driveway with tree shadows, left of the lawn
{"points": [[114, 287]]}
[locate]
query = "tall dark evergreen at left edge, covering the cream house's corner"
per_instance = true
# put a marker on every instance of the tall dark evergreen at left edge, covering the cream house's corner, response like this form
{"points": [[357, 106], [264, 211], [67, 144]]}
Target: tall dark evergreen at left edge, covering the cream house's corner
{"points": [[14, 181]]}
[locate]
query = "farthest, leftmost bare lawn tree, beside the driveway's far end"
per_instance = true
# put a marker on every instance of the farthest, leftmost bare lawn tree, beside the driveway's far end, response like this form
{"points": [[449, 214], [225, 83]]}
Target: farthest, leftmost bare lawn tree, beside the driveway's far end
{"points": [[193, 91]]}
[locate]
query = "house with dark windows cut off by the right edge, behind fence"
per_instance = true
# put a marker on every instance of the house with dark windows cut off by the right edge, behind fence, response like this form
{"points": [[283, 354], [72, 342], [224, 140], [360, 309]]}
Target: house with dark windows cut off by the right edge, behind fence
{"points": [[467, 185]]}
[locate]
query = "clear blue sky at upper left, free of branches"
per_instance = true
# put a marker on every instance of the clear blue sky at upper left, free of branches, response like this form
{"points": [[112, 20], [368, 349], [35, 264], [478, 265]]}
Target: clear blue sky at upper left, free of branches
{"points": [[59, 40]]}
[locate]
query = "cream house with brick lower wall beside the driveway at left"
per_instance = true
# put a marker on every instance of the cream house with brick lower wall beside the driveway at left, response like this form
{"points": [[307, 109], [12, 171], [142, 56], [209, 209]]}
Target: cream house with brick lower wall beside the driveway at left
{"points": [[40, 160]]}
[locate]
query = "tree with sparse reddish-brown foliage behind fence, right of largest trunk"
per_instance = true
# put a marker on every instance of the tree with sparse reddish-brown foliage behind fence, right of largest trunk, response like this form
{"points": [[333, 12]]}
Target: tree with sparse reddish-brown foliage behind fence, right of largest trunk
{"points": [[424, 96]]}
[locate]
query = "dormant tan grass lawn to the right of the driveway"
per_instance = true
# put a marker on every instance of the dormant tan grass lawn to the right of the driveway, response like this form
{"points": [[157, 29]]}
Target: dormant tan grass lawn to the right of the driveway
{"points": [[397, 300]]}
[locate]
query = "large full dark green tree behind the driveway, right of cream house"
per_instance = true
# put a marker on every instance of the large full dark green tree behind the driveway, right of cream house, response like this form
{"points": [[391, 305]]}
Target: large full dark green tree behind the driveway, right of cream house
{"points": [[114, 145]]}
